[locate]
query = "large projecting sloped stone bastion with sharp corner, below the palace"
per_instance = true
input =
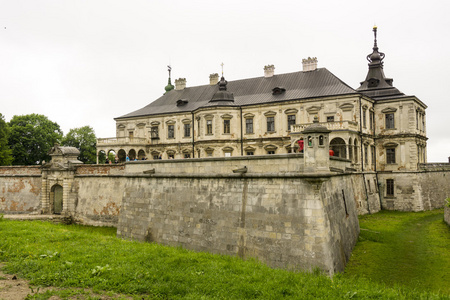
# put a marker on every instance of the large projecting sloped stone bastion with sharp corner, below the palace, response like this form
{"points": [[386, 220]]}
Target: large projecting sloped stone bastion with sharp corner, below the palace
{"points": [[283, 221]]}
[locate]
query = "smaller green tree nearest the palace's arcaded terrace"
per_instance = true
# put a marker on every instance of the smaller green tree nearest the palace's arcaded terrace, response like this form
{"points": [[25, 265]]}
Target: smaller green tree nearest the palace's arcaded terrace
{"points": [[83, 139]]}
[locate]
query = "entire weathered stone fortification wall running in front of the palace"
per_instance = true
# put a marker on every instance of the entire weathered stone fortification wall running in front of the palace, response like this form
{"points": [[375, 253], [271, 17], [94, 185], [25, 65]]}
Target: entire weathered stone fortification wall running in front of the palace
{"points": [[269, 208]]}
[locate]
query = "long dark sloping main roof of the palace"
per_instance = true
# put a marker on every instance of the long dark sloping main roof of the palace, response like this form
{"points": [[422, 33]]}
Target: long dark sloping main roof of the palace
{"points": [[298, 85]]}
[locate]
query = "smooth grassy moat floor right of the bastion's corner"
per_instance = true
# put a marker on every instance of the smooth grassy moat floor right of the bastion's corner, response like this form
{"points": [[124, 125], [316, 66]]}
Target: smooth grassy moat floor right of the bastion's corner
{"points": [[410, 249]]}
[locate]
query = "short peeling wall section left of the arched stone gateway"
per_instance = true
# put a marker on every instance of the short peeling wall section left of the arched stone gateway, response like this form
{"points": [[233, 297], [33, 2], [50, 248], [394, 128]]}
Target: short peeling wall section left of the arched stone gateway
{"points": [[20, 189]]}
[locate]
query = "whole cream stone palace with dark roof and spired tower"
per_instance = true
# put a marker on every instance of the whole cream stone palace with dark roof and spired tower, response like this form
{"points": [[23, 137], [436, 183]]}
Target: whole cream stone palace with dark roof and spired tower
{"points": [[375, 127]]}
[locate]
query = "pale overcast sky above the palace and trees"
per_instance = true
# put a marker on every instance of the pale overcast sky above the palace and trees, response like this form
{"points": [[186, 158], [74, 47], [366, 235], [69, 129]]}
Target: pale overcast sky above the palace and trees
{"points": [[85, 62]]}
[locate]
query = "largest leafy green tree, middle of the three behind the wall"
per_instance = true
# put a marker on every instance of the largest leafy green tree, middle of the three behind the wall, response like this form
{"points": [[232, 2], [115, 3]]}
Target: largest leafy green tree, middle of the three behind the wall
{"points": [[31, 137]]}
